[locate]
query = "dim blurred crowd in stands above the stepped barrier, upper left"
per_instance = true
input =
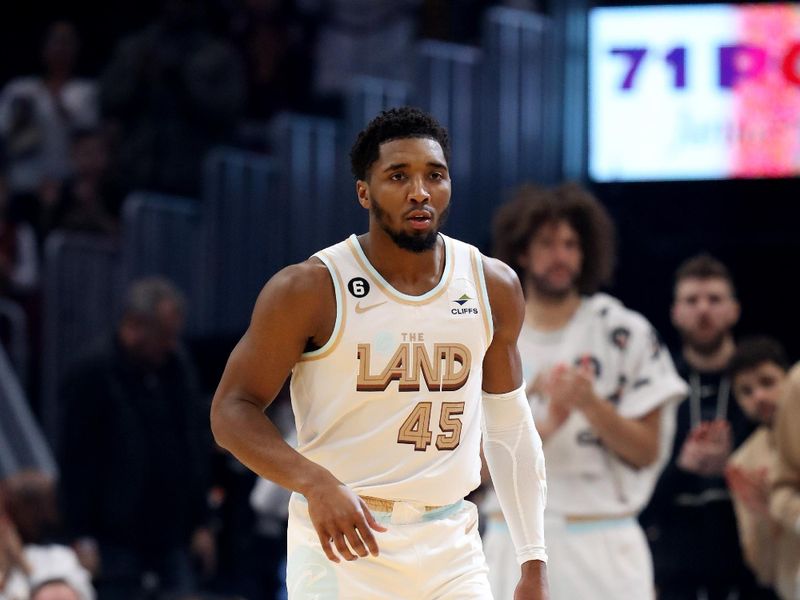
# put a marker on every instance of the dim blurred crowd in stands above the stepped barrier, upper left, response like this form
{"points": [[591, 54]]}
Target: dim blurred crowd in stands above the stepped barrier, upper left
{"points": [[74, 142]]}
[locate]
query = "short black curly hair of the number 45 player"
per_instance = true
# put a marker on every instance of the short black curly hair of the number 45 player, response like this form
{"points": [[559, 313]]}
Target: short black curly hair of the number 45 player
{"points": [[394, 124]]}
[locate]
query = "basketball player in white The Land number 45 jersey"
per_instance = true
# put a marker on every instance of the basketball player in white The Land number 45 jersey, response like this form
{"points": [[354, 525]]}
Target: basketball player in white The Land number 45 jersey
{"points": [[401, 341]]}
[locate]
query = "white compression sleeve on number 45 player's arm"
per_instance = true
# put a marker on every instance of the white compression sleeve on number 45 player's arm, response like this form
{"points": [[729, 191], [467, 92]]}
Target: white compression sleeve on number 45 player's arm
{"points": [[513, 450]]}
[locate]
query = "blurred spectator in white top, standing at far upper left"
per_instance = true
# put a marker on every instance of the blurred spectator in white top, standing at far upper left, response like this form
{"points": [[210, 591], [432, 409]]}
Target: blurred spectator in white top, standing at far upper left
{"points": [[37, 114]]}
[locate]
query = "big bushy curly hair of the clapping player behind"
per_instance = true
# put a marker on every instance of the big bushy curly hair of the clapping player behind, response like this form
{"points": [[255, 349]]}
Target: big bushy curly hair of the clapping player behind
{"points": [[517, 221]]}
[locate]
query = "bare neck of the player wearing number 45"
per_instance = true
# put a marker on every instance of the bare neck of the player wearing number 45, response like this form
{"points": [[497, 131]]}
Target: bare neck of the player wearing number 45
{"points": [[413, 273]]}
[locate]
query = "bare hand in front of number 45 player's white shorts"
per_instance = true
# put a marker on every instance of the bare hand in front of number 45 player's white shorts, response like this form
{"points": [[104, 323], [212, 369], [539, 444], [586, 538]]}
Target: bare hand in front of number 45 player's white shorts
{"points": [[342, 521]]}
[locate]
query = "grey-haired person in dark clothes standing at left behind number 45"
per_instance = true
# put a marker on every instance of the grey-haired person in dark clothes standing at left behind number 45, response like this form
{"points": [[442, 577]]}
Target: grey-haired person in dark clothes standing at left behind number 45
{"points": [[135, 451]]}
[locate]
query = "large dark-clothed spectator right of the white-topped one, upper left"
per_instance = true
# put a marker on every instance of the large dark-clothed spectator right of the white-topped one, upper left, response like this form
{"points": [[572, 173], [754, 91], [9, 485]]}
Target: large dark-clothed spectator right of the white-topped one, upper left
{"points": [[171, 92]]}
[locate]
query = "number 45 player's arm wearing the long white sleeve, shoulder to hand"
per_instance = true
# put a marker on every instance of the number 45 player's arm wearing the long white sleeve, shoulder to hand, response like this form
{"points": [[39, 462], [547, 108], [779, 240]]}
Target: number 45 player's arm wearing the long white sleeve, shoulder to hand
{"points": [[511, 444]]}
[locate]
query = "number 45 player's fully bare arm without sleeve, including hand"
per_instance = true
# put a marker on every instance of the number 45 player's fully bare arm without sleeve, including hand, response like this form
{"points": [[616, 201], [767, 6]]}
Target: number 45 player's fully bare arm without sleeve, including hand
{"points": [[296, 306]]}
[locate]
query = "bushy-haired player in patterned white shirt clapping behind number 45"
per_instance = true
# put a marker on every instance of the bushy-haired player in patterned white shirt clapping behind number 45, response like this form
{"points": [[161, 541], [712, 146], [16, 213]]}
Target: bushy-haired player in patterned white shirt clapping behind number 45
{"points": [[603, 392]]}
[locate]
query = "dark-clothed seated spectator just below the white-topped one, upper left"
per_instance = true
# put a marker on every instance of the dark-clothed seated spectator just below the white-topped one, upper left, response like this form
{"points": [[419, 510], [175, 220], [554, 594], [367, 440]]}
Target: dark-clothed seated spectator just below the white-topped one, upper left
{"points": [[88, 201]]}
